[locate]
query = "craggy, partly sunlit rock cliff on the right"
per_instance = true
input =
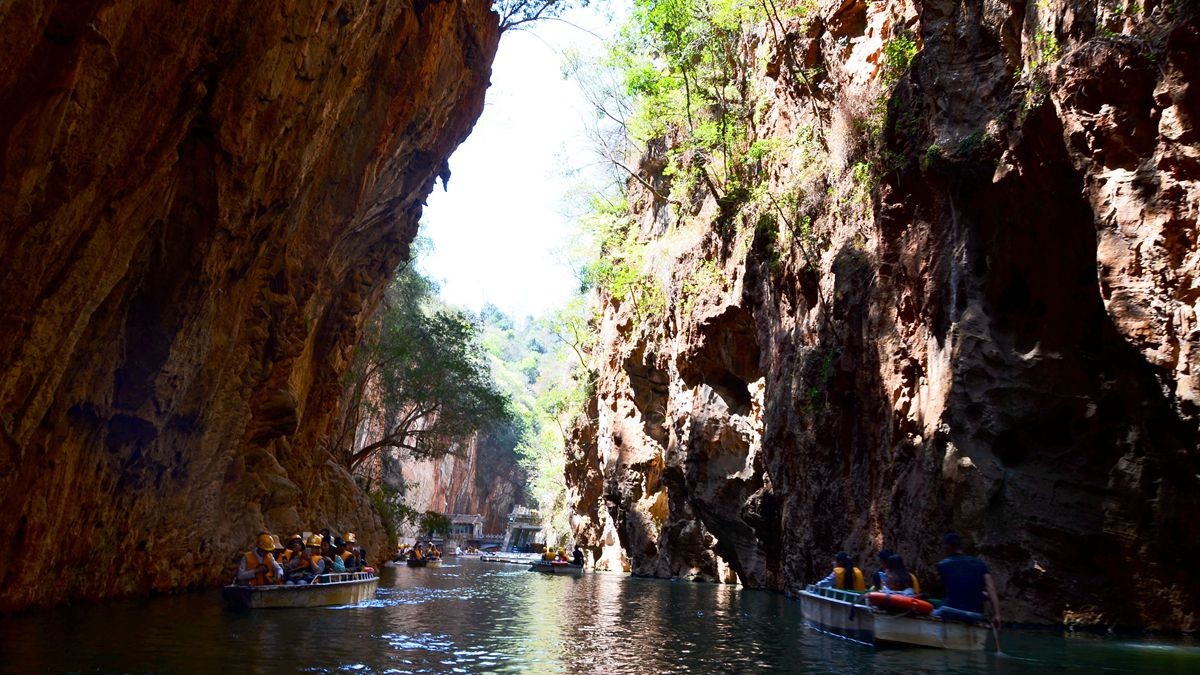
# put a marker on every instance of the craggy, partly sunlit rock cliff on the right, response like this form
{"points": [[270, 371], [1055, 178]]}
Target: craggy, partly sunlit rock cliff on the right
{"points": [[998, 334]]}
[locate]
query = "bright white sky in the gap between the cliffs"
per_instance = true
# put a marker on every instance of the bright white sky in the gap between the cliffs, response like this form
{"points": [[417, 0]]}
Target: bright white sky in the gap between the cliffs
{"points": [[500, 231]]}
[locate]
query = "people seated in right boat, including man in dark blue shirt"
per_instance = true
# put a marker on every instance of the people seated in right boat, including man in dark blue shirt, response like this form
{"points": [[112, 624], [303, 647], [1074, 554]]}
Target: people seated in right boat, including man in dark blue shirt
{"points": [[965, 578]]}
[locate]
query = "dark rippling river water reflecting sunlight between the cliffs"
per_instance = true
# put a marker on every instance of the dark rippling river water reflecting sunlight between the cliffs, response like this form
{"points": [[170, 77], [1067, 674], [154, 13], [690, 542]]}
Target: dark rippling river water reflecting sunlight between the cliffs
{"points": [[477, 617]]}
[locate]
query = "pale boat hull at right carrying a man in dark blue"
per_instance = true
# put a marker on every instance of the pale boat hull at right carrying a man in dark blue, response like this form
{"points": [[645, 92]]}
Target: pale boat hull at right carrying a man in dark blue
{"points": [[847, 614]]}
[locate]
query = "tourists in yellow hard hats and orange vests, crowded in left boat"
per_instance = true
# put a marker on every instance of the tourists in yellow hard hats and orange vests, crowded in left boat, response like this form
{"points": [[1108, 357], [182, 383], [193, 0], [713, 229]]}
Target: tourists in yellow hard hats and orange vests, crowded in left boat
{"points": [[302, 561]]}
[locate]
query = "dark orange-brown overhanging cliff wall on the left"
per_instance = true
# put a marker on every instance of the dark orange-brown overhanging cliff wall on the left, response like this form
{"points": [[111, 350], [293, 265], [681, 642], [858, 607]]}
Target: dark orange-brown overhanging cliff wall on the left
{"points": [[200, 204]]}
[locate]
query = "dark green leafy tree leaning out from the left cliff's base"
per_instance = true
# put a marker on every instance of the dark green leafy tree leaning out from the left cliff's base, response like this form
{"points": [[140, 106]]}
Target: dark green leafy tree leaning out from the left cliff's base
{"points": [[421, 380]]}
